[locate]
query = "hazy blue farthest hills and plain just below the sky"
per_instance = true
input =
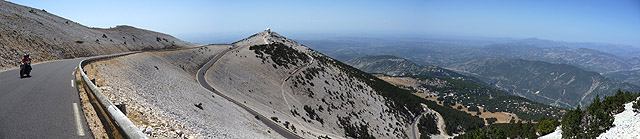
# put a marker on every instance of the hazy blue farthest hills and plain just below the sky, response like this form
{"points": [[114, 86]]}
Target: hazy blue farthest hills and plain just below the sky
{"points": [[599, 57]]}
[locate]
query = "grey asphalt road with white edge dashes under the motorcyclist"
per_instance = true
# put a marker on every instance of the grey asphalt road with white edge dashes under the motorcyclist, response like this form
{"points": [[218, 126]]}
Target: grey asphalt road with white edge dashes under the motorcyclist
{"points": [[45, 105]]}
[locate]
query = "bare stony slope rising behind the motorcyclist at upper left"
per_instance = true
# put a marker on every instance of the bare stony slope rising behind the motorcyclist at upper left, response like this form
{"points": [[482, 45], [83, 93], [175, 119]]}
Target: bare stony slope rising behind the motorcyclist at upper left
{"points": [[49, 37]]}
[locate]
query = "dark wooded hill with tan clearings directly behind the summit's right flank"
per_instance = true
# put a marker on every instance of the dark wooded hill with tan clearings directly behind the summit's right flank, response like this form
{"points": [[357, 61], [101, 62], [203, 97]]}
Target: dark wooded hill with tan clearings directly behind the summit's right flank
{"points": [[451, 87]]}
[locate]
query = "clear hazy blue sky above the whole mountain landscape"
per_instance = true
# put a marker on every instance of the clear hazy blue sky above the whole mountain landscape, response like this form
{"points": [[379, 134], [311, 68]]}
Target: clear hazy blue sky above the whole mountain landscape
{"points": [[613, 21]]}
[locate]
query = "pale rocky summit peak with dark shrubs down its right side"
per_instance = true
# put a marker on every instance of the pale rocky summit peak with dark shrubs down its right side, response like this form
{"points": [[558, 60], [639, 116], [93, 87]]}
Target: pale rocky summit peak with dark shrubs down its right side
{"points": [[311, 94]]}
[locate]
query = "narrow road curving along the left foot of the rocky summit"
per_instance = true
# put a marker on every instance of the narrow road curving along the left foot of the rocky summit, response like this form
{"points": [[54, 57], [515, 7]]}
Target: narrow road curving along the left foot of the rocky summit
{"points": [[200, 77]]}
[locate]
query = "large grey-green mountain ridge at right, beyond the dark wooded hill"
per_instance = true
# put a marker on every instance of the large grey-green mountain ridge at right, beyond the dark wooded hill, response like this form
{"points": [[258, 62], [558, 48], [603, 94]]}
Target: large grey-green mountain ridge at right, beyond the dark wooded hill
{"points": [[556, 84]]}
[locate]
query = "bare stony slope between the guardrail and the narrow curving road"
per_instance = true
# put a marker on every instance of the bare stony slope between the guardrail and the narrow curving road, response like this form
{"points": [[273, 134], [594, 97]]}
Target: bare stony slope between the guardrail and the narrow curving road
{"points": [[165, 101]]}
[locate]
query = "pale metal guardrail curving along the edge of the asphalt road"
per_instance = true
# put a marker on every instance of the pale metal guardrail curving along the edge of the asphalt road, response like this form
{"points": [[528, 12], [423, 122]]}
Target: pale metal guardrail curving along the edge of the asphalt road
{"points": [[122, 122]]}
